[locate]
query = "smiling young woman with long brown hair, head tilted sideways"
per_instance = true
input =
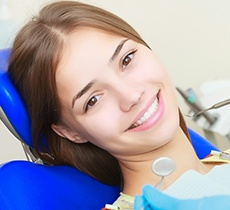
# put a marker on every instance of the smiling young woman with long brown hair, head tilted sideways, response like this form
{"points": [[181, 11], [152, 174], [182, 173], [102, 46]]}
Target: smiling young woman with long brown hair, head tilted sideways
{"points": [[100, 97]]}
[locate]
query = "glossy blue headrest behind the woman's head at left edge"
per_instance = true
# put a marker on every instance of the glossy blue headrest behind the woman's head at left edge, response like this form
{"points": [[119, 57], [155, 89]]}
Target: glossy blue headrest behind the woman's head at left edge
{"points": [[12, 110]]}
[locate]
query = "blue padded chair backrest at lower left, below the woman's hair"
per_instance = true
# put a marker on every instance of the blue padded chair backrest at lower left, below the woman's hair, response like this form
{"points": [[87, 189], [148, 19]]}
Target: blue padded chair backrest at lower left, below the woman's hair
{"points": [[29, 186]]}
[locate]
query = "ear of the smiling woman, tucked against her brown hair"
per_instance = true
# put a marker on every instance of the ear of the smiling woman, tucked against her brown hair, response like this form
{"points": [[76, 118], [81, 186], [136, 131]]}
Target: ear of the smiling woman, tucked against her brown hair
{"points": [[65, 132]]}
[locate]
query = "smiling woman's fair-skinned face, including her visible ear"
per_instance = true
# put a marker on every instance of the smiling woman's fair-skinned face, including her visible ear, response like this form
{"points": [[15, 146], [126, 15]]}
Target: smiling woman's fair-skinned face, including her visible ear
{"points": [[115, 94]]}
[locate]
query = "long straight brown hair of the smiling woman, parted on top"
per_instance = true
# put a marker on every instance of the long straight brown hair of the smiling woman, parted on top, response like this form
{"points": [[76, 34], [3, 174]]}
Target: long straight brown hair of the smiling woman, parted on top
{"points": [[35, 55]]}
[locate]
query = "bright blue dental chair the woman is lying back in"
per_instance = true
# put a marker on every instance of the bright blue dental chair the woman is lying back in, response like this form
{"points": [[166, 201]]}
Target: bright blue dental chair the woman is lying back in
{"points": [[30, 184]]}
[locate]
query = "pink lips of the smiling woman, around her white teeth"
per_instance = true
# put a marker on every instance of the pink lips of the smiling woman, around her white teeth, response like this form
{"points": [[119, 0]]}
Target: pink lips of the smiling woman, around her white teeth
{"points": [[154, 118]]}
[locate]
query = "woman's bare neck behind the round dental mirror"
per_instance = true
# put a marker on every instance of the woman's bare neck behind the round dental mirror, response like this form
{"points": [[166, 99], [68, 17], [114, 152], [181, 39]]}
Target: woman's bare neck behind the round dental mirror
{"points": [[139, 172]]}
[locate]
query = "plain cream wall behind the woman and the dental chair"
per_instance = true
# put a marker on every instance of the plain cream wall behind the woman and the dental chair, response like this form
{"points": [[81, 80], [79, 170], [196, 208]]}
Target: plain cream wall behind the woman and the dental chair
{"points": [[192, 39]]}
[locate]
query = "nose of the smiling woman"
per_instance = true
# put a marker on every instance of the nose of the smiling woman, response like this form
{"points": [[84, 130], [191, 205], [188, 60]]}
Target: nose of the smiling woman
{"points": [[129, 94]]}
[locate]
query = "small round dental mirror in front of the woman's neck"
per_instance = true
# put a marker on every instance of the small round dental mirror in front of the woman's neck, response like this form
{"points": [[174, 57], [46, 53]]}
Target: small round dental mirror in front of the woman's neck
{"points": [[163, 166]]}
